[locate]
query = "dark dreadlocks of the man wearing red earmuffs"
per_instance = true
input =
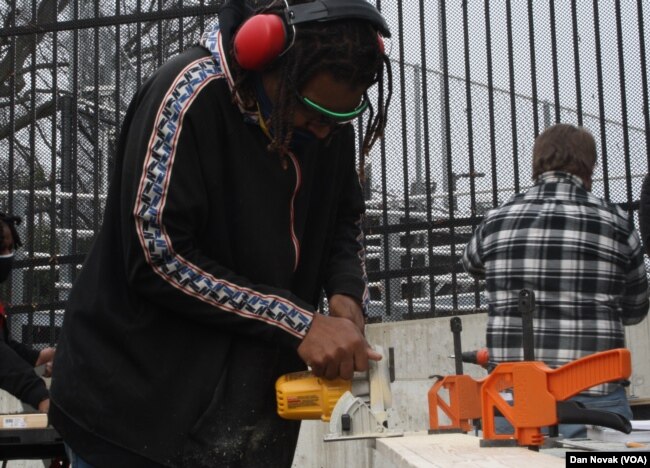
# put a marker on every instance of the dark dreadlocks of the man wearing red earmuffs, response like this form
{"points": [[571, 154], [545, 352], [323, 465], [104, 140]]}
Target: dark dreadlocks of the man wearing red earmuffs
{"points": [[348, 49]]}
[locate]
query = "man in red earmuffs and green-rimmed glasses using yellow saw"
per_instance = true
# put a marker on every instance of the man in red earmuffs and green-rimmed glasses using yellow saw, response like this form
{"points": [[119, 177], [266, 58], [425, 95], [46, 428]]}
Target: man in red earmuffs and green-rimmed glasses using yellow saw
{"points": [[235, 208]]}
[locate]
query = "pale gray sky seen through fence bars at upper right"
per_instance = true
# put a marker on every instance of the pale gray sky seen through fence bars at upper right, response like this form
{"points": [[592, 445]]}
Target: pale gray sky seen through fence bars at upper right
{"points": [[522, 84]]}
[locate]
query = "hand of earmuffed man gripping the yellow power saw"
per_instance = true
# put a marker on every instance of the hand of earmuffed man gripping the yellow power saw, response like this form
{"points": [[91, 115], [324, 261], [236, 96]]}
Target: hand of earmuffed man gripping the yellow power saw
{"points": [[335, 347]]}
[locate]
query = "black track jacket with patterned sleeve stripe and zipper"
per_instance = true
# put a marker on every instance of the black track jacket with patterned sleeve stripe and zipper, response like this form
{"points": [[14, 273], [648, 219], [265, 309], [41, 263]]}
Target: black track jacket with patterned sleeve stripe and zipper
{"points": [[205, 276]]}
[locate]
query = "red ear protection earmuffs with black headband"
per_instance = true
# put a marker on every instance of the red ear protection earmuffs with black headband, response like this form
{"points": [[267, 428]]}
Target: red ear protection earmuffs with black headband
{"points": [[264, 37]]}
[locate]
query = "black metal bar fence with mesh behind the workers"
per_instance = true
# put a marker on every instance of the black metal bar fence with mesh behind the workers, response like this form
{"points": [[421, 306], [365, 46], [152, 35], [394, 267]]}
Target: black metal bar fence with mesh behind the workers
{"points": [[475, 81]]}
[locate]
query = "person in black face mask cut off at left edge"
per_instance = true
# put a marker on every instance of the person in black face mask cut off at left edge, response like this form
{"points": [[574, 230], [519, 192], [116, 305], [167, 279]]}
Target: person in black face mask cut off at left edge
{"points": [[17, 361]]}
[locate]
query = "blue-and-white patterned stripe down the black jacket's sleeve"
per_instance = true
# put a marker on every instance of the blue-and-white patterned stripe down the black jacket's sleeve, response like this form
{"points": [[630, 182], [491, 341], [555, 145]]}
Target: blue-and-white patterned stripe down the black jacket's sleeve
{"points": [[150, 203]]}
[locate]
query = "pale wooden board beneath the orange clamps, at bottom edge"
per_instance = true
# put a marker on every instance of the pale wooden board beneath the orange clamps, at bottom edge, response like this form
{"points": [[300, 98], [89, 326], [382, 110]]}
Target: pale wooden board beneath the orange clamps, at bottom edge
{"points": [[421, 450]]}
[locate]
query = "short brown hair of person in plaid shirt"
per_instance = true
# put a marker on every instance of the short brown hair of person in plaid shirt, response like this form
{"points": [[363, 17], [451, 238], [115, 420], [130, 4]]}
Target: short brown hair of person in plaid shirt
{"points": [[565, 147]]}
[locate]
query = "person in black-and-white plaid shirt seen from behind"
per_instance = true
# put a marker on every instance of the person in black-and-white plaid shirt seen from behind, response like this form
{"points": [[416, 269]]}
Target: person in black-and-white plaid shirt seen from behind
{"points": [[578, 253]]}
